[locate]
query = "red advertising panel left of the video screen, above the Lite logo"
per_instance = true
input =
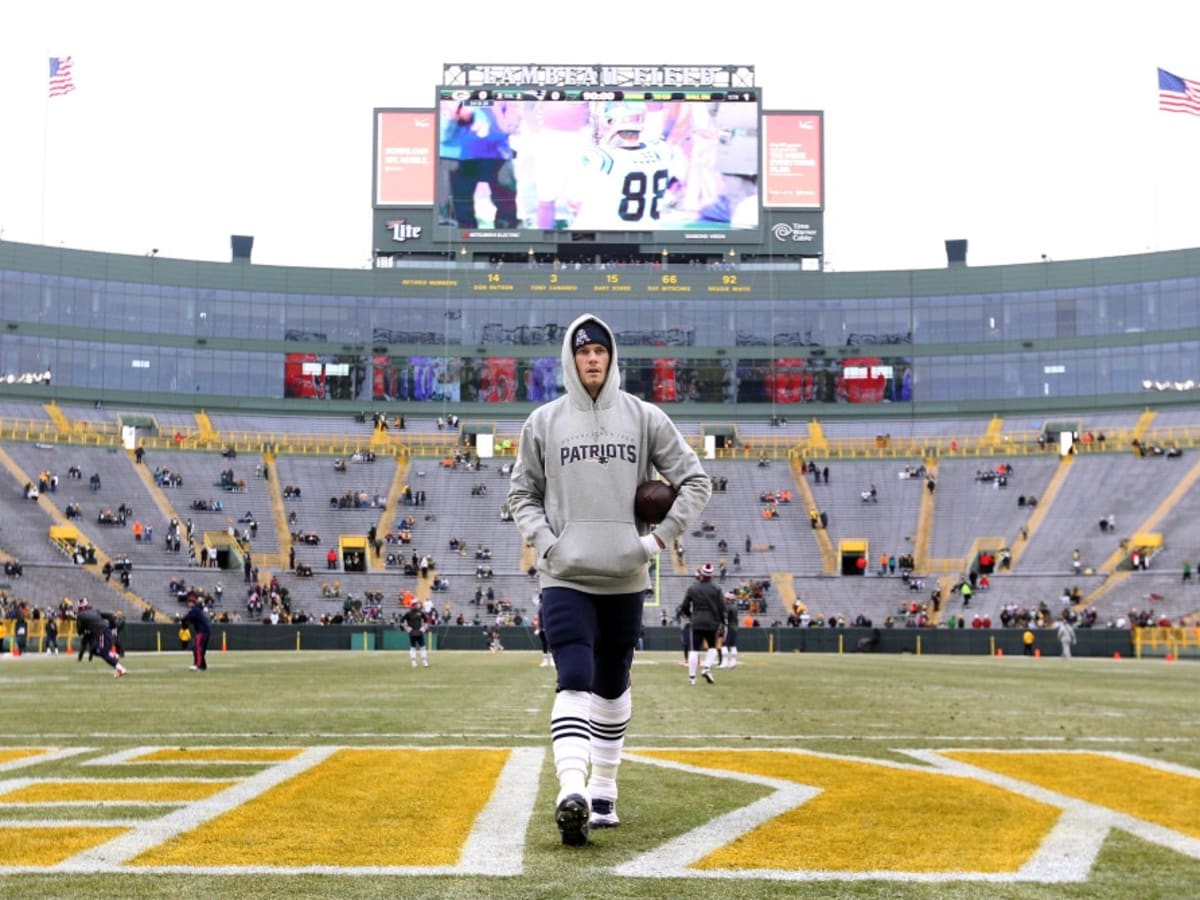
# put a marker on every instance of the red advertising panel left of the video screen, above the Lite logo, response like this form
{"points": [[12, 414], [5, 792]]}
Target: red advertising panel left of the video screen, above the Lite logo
{"points": [[405, 158]]}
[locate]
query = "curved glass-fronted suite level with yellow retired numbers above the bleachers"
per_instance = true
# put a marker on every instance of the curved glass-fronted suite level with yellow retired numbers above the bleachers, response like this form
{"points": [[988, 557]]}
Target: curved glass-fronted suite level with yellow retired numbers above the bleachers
{"points": [[81, 326]]}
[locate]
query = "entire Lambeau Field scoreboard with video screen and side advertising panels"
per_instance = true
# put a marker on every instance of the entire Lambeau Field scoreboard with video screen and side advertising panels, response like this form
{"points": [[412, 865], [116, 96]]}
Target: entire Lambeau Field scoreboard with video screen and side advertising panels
{"points": [[565, 161]]}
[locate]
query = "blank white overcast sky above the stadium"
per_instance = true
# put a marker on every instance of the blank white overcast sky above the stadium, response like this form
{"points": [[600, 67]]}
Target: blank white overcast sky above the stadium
{"points": [[1025, 128]]}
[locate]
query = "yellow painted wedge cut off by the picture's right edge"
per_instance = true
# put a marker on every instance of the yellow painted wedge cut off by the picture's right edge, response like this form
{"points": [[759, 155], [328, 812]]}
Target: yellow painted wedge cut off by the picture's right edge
{"points": [[1167, 799]]}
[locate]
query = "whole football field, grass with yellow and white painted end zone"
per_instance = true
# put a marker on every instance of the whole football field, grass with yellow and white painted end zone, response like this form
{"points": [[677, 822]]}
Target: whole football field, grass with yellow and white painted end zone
{"points": [[355, 776]]}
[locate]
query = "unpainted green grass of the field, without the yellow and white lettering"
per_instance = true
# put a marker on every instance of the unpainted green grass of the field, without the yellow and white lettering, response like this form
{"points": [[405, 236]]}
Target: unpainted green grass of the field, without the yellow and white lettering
{"points": [[862, 706]]}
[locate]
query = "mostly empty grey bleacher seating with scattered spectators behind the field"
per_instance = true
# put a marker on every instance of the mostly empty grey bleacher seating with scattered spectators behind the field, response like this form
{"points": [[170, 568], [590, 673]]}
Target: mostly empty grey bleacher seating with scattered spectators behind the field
{"points": [[1143, 493]]}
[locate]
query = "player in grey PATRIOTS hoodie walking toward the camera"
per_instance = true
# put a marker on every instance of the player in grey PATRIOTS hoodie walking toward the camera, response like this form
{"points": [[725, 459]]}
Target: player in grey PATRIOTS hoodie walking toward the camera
{"points": [[572, 495]]}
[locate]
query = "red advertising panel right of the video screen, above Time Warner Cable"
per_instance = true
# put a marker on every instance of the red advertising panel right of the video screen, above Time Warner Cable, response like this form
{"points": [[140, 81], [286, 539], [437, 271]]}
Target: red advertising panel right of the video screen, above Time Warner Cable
{"points": [[794, 176]]}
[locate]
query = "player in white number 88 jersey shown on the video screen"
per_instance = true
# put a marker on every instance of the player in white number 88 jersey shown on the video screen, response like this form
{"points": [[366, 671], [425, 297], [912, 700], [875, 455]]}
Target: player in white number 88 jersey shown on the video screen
{"points": [[627, 183]]}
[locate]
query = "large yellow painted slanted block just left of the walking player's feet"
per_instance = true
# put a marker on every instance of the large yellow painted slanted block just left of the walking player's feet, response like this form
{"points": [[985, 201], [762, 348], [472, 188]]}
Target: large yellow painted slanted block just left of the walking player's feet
{"points": [[380, 808]]}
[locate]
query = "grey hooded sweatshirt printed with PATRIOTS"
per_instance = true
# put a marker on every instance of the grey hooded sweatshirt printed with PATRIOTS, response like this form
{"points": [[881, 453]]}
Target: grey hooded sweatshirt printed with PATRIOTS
{"points": [[579, 465]]}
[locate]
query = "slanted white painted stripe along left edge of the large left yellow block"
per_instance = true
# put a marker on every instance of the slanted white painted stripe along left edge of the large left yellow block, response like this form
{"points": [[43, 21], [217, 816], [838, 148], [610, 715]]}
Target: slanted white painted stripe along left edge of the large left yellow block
{"points": [[146, 836]]}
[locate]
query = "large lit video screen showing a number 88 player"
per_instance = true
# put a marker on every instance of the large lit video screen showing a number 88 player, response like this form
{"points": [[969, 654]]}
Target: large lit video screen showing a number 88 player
{"points": [[599, 161]]}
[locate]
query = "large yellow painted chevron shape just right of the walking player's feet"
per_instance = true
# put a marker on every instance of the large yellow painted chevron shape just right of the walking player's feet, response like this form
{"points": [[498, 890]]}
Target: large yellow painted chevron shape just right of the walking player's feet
{"points": [[872, 818]]}
